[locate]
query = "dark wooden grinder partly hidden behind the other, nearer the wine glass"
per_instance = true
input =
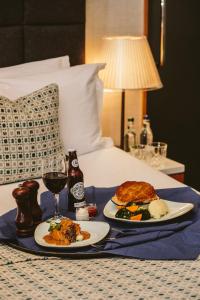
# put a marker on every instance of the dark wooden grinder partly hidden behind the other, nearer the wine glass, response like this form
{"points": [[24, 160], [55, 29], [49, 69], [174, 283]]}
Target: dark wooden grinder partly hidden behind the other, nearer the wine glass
{"points": [[35, 208]]}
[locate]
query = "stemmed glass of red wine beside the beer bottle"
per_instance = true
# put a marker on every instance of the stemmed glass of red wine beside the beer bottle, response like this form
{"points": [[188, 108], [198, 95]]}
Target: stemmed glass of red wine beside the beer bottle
{"points": [[54, 175]]}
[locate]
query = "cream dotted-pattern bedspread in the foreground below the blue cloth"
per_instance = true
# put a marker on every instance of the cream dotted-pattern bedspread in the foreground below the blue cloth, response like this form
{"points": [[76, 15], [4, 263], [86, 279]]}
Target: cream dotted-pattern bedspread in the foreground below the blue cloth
{"points": [[27, 276]]}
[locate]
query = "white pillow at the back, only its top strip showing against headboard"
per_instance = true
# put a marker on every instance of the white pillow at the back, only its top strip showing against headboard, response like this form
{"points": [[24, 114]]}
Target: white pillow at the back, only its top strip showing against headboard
{"points": [[35, 67]]}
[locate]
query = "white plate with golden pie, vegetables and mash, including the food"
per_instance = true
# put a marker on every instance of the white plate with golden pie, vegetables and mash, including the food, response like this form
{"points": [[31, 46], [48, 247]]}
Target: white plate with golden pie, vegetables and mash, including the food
{"points": [[138, 202]]}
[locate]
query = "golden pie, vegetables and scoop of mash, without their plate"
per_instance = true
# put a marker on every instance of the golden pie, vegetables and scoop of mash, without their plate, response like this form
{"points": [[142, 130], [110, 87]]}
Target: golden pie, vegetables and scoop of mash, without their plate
{"points": [[137, 200]]}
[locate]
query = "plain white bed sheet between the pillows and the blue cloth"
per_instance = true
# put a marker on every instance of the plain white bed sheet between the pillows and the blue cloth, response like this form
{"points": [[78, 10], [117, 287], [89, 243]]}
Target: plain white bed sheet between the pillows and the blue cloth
{"points": [[103, 168]]}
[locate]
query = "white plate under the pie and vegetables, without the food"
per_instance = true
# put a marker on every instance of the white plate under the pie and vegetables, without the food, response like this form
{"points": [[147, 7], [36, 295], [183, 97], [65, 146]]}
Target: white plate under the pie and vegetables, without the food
{"points": [[176, 209]]}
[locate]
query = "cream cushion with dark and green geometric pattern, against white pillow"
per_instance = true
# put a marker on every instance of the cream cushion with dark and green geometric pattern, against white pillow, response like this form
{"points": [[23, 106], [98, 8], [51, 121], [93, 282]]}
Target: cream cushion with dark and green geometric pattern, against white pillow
{"points": [[29, 131]]}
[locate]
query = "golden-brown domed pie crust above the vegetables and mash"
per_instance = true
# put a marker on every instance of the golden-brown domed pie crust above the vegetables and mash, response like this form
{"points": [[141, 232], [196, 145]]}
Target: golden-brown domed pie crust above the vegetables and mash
{"points": [[134, 191]]}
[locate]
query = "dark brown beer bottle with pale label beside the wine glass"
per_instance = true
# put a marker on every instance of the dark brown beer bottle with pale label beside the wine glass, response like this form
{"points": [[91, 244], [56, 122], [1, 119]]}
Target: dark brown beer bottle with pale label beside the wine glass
{"points": [[76, 196]]}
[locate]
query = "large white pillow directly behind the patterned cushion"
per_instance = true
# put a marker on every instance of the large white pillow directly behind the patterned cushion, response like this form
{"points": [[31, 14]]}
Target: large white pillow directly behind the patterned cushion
{"points": [[80, 96]]}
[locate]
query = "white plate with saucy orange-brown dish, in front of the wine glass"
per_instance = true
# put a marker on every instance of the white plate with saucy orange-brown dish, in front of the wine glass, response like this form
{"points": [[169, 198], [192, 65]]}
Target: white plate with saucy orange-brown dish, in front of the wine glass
{"points": [[66, 233]]}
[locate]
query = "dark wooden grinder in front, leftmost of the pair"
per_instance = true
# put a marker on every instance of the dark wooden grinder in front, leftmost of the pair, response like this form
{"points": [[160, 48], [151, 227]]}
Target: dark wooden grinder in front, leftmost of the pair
{"points": [[24, 219]]}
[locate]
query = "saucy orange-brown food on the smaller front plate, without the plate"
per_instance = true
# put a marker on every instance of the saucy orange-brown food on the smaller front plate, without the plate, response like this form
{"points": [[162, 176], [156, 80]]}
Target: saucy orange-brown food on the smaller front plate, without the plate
{"points": [[65, 232]]}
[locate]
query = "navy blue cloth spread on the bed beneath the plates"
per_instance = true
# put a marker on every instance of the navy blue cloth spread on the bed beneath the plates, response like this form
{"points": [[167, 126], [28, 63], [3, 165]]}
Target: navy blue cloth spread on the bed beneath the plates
{"points": [[176, 239]]}
